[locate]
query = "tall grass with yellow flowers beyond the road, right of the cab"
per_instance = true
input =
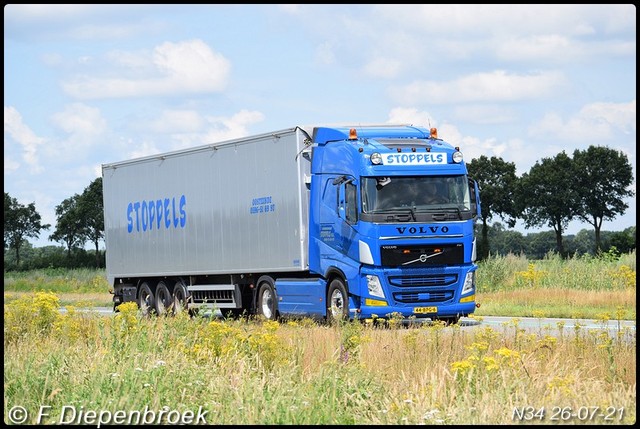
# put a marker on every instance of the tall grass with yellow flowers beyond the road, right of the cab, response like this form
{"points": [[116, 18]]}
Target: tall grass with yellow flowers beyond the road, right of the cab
{"points": [[579, 287]]}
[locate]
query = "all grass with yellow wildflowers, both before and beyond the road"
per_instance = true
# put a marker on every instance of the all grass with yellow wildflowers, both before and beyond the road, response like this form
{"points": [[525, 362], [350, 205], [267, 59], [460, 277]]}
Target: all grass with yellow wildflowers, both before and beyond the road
{"points": [[80, 368]]}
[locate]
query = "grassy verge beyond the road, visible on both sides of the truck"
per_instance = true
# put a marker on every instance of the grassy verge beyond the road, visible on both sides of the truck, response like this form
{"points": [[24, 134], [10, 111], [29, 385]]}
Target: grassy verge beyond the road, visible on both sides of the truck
{"points": [[578, 287]]}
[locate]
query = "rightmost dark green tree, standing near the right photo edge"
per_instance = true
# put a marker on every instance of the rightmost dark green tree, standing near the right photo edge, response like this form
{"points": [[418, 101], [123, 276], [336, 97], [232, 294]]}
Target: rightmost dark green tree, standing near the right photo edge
{"points": [[603, 176]]}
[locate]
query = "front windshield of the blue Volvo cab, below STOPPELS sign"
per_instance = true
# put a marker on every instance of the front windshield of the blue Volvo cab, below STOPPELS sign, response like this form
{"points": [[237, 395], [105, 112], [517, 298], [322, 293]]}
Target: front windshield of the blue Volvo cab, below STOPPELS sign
{"points": [[387, 194]]}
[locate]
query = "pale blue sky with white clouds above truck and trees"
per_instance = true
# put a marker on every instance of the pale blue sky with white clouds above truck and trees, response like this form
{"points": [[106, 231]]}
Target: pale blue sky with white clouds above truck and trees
{"points": [[86, 85]]}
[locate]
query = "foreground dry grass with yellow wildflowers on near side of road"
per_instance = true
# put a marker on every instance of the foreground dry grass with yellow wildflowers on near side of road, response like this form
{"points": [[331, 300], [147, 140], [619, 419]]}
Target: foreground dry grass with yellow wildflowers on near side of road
{"points": [[256, 374]]}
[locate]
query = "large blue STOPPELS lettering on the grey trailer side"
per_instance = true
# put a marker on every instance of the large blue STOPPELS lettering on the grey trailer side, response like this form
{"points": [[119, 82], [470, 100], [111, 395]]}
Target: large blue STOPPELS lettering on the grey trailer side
{"points": [[146, 214]]}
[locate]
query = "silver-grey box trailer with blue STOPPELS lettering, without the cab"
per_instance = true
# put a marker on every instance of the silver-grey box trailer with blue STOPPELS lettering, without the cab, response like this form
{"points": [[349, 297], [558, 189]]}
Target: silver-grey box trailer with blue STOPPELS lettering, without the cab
{"points": [[239, 206]]}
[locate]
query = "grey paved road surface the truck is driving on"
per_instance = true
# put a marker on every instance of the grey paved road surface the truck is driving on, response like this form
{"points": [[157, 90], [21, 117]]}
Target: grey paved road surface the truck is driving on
{"points": [[550, 326]]}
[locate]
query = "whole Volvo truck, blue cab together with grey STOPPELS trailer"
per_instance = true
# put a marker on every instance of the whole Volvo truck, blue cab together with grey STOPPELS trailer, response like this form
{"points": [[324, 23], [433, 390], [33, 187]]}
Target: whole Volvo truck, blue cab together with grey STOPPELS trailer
{"points": [[327, 222]]}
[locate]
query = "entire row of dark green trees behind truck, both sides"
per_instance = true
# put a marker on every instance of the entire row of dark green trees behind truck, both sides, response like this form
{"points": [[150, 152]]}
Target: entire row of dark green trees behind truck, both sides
{"points": [[590, 186]]}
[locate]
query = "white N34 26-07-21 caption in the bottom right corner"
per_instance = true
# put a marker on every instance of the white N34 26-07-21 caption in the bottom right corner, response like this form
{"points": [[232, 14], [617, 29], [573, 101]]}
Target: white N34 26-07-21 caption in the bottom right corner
{"points": [[568, 413]]}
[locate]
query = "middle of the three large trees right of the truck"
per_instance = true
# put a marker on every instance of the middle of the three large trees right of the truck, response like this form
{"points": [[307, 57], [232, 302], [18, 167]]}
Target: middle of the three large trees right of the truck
{"points": [[547, 195]]}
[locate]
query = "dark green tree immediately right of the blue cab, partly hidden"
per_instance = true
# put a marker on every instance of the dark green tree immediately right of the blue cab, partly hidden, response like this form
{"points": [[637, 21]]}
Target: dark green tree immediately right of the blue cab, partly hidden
{"points": [[497, 180]]}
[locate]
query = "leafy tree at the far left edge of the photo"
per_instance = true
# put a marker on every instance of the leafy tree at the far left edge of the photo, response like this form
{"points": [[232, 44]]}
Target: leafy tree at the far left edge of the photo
{"points": [[20, 222]]}
